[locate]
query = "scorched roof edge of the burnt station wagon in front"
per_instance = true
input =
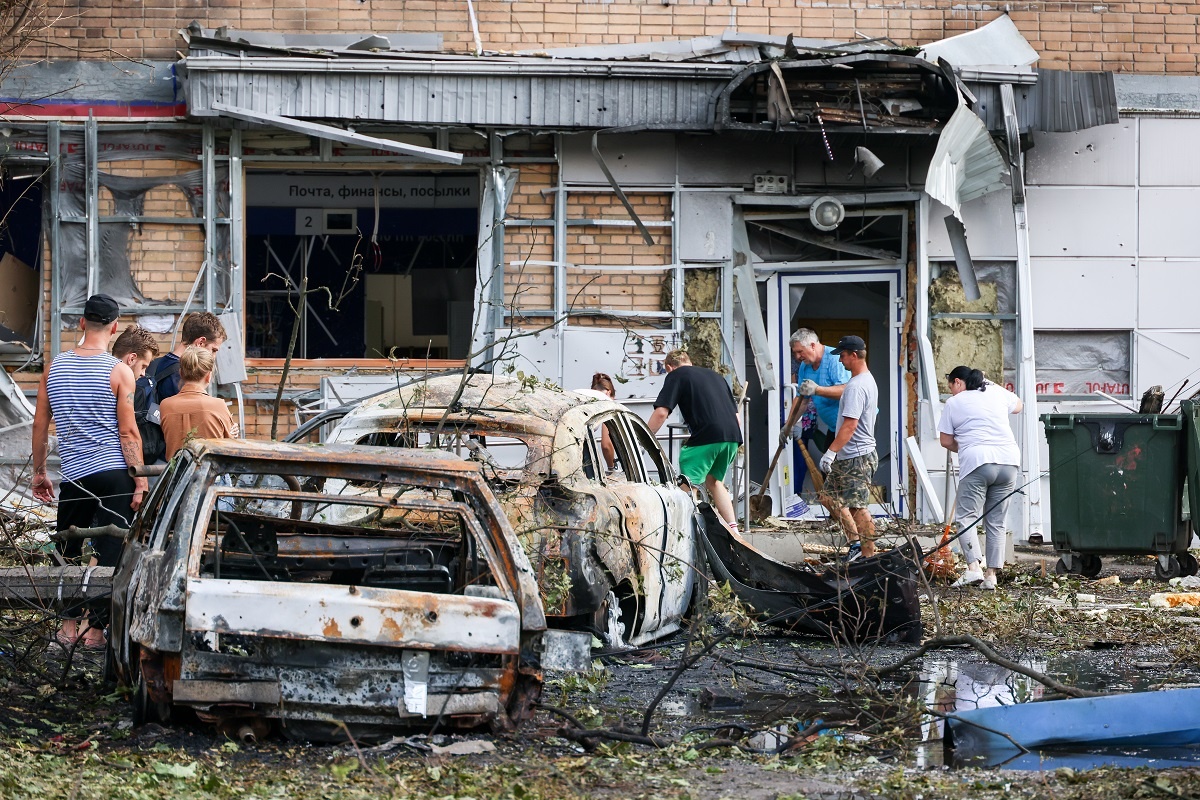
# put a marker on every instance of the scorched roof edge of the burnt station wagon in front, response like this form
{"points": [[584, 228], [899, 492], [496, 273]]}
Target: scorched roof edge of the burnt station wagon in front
{"points": [[332, 454]]}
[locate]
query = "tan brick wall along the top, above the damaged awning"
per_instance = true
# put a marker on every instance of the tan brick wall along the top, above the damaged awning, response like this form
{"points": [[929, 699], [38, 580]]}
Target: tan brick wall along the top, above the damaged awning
{"points": [[1151, 38]]}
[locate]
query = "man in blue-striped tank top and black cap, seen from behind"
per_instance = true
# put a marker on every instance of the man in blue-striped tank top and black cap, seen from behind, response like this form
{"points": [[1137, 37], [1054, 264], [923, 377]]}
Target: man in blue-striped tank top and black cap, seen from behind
{"points": [[89, 394]]}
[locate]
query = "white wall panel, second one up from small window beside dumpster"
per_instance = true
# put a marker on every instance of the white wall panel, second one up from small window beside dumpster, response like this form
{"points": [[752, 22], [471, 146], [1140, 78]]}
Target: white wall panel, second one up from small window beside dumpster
{"points": [[1083, 221]]}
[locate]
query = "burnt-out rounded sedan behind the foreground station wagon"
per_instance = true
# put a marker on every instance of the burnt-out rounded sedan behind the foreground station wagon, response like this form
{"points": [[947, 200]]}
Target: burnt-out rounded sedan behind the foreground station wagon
{"points": [[614, 544]]}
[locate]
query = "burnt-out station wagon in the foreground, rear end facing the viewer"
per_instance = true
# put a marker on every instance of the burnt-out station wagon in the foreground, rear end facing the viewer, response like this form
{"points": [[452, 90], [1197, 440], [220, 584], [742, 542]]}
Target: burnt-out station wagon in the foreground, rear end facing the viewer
{"points": [[321, 587]]}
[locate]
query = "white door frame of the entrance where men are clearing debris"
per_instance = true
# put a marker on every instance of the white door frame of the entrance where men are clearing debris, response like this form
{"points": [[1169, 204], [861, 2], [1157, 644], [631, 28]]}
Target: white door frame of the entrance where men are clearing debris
{"points": [[781, 280]]}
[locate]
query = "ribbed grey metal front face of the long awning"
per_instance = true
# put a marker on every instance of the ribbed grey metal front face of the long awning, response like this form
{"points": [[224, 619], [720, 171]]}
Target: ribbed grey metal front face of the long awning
{"points": [[437, 99]]}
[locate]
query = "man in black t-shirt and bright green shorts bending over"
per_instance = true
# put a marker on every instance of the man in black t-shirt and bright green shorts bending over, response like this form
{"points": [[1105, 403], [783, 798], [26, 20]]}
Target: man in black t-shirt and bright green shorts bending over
{"points": [[707, 406]]}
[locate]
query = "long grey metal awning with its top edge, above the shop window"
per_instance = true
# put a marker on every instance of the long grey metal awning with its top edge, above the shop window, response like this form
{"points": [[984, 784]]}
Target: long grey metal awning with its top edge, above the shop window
{"points": [[520, 93]]}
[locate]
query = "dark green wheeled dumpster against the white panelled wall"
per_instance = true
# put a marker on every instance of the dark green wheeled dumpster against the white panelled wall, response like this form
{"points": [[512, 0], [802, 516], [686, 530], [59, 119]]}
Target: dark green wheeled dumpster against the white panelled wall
{"points": [[1117, 489]]}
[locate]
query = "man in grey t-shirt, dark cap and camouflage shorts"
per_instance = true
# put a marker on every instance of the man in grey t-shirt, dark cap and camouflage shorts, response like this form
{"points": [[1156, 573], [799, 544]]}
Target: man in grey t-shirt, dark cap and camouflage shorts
{"points": [[851, 460]]}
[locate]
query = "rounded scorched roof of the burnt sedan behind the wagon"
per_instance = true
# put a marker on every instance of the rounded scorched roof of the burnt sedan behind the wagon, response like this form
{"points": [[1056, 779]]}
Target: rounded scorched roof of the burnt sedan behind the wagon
{"points": [[507, 400]]}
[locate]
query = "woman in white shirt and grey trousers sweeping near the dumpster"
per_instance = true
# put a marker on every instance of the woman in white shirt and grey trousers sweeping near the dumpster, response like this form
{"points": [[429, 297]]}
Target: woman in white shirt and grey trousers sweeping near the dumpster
{"points": [[975, 425]]}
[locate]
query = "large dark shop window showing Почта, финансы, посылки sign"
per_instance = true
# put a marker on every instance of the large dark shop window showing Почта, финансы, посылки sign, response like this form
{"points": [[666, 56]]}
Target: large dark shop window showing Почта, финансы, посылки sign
{"points": [[388, 276]]}
